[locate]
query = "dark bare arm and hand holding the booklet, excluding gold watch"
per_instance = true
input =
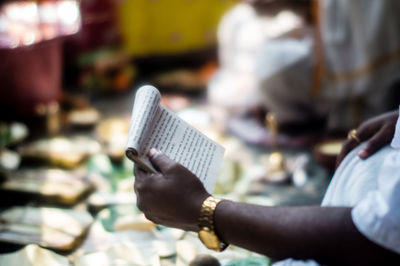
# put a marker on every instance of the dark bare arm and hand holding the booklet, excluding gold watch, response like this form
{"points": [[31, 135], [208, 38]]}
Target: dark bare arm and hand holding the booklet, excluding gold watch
{"points": [[174, 196]]}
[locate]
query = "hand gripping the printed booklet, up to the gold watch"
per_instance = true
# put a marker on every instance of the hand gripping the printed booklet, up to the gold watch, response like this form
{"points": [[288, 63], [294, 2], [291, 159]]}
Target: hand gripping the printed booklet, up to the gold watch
{"points": [[172, 197]]}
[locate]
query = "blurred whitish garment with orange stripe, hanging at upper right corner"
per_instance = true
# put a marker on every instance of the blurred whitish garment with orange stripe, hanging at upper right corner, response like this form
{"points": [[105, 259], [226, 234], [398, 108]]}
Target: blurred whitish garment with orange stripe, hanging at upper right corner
{"points": [[361, 46]]}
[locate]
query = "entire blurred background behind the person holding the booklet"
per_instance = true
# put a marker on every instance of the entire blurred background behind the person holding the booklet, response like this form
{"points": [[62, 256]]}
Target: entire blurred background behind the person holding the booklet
{"points": [[278, 83]]}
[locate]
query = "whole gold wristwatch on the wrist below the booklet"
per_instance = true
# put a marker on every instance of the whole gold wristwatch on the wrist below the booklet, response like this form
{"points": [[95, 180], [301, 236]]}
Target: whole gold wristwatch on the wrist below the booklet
{"points": [[206, 232]]}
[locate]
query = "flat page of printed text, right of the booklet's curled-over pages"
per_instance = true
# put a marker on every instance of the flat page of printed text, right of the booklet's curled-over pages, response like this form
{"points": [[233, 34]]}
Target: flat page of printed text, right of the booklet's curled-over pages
{"points": [[185, 145]]}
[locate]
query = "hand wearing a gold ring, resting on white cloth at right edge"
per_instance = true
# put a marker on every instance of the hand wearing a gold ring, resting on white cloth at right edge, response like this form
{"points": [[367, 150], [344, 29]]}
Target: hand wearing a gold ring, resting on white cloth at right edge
{"points": [[377, 132]]}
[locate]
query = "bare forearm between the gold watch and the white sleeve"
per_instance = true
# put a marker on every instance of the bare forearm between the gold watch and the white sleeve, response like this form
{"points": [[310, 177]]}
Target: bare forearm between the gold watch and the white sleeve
{"points": [[326, 234]]}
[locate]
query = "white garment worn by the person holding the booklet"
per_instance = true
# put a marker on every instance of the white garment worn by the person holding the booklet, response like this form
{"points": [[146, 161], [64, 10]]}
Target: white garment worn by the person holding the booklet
{"points": [[372, 188]]}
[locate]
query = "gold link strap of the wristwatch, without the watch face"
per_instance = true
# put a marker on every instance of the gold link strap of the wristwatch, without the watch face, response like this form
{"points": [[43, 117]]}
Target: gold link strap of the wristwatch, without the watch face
{"points": [[206, 219]]}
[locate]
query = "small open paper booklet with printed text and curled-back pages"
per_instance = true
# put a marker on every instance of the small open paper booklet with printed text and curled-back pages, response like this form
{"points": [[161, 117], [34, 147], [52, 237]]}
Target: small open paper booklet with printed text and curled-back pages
{"points": [[154, 126]]}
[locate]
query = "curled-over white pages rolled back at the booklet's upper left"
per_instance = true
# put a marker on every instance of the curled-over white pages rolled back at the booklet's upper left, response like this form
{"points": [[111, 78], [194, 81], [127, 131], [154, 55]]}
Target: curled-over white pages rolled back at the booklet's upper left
{"points": [[146, 104]]}
